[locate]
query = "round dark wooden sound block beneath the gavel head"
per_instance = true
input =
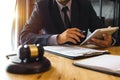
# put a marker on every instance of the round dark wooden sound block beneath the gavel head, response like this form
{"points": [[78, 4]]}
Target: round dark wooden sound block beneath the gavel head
{"points": [[29, 68]]}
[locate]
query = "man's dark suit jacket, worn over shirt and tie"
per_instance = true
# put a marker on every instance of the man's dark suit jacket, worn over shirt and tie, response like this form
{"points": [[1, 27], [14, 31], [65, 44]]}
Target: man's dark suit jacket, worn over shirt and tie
{"points": [[46, 17]]}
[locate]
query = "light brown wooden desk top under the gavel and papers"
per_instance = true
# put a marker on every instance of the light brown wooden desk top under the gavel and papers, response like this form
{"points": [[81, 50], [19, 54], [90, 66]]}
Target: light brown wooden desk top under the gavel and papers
{"points": [[61, 69]]}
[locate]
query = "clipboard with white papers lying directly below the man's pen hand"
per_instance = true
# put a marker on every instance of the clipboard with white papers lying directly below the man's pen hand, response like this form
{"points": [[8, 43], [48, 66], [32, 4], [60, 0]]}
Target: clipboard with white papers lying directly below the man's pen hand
{"points": [[74, 52]]}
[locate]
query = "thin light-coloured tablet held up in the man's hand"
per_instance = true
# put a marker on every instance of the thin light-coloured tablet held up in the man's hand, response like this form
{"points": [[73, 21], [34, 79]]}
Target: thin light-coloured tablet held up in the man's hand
{"points": [[98, 33]]}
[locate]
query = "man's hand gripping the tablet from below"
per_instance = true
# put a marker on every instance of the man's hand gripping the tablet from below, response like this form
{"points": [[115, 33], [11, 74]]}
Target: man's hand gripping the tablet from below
{"points": [[106, 42]]}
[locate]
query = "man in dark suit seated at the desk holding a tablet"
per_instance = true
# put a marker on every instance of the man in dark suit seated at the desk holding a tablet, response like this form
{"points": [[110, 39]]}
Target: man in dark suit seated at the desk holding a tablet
{"points": [[47, 24]]}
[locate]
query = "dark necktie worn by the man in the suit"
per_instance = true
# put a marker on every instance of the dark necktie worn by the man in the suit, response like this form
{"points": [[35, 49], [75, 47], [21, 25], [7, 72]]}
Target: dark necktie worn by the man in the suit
{"points": [[66, 18]]}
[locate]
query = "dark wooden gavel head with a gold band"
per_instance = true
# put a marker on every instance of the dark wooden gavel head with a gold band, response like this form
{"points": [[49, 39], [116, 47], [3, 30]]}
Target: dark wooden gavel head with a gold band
{"points": [[30, 53]]}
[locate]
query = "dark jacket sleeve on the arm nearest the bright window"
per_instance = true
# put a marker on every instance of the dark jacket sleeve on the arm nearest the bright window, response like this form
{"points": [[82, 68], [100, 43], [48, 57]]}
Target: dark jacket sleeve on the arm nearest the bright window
{"points": [[30, 32]]}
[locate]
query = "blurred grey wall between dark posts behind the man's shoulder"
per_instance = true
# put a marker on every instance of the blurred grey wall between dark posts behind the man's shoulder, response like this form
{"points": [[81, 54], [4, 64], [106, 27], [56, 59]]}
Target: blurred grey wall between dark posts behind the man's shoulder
{"points": [[107, 10]]}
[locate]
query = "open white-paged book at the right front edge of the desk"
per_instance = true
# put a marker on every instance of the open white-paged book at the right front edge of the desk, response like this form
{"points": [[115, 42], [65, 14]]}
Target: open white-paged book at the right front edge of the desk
{"points": [[104, 63]]}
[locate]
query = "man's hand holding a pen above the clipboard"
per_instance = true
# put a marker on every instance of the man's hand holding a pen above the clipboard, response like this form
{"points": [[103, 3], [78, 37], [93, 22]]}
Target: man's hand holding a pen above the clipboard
{"points": [[70, 35]]}
